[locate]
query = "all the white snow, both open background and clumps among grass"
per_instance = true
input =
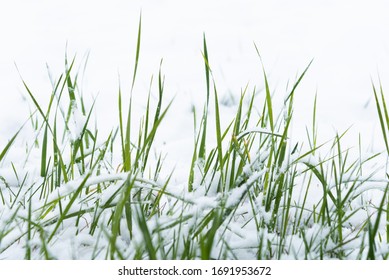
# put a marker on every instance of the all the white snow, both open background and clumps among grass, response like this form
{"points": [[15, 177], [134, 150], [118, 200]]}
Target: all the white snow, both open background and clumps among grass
{"points": [[346, 39]]}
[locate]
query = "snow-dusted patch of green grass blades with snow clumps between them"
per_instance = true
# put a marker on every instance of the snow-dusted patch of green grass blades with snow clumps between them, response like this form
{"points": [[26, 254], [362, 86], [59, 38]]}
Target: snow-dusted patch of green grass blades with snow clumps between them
{"points": [[255, 194]]}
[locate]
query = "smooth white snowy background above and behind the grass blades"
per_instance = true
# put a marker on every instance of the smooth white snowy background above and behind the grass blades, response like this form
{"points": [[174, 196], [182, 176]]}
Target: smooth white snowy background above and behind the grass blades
{"points": [[347, 40]]}
